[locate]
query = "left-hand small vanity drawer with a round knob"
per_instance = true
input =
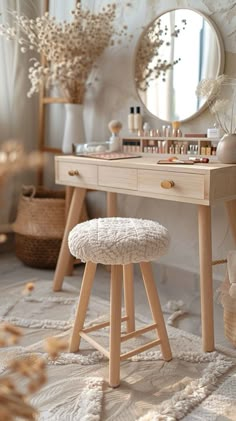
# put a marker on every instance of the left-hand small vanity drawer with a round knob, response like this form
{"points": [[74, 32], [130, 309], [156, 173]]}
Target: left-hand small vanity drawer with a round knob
{"points": [[75, 174]]}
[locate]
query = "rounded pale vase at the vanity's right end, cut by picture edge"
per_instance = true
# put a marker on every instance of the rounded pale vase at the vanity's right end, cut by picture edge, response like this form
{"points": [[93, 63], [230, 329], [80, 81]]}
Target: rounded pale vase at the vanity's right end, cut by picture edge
{"points": [[226, 149]]}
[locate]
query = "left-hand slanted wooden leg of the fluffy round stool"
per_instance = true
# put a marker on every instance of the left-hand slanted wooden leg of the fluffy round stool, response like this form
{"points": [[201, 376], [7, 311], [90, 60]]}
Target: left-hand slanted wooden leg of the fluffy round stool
{"points": [[87, 283]]}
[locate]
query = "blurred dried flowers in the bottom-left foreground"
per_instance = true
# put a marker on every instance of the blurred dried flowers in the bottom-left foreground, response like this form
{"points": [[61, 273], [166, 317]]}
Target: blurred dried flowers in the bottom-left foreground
{"points": [[24, 375]]}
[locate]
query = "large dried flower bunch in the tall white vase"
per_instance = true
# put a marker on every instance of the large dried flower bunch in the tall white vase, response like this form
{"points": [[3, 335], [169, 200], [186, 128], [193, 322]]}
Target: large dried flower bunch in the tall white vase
{"points": [[70, 49]]}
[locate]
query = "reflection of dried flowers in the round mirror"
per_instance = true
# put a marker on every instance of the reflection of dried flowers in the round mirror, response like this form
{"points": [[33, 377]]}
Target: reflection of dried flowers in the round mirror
{"points": [[149, 65]]}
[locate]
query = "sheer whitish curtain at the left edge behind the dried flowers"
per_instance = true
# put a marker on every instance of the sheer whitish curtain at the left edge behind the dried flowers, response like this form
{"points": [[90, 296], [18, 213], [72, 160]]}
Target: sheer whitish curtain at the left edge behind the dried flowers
{"points": [[18, 114]]}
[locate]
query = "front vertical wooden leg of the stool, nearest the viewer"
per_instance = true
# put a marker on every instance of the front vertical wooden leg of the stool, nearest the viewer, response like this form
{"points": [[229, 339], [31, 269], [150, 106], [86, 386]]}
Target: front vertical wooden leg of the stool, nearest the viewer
{"points": [[115, 325]]}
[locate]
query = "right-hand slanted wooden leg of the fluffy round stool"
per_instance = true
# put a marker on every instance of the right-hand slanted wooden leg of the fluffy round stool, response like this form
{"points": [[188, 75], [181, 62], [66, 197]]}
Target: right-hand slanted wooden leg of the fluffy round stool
{"points": [[156, 310]]}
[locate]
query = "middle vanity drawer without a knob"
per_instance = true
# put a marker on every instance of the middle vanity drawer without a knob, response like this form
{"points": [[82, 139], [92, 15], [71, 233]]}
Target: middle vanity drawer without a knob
{"points": [[125, 178]]}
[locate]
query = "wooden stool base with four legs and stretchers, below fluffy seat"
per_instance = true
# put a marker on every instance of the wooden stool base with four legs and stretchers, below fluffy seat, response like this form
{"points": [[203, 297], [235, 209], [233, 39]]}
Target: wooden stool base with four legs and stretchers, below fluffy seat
{"points": [[114, 353]]}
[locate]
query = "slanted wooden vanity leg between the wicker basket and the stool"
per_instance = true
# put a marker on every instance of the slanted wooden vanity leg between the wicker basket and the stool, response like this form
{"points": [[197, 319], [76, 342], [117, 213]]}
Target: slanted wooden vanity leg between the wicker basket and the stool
{"points": [[64, 255]]}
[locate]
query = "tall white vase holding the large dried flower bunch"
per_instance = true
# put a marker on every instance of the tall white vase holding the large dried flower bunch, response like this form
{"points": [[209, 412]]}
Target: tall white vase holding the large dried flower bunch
{"points": [[74, 127]]}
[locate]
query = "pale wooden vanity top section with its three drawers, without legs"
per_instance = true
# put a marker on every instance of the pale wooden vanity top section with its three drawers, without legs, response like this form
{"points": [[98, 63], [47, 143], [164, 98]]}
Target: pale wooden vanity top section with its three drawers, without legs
{"points": [[198, 183]]}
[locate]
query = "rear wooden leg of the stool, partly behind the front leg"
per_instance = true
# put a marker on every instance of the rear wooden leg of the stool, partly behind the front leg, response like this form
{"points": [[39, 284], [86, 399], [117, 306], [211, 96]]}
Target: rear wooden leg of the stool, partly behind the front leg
{"points": [[128, 278]]}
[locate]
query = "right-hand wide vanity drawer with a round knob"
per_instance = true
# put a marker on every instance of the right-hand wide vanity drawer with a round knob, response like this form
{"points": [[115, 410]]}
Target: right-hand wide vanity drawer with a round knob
{"points": [[180, 184]]}
